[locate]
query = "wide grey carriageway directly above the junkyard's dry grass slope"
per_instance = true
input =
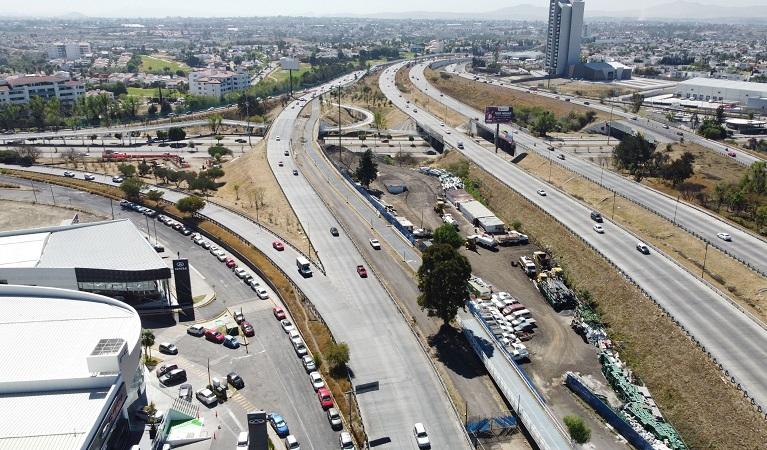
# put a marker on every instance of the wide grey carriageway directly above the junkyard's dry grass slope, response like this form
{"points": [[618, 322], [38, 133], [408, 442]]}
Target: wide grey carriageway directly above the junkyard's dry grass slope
{"points": [[734, 340]]}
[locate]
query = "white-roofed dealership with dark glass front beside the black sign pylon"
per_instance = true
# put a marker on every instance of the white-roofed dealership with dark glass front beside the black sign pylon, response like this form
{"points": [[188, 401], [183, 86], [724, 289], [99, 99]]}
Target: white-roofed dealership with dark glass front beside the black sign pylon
{"points": [[110, 258]]}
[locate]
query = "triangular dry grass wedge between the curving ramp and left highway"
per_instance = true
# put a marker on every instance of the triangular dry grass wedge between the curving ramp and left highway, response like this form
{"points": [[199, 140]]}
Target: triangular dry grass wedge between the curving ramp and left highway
{"points": [[249, 177]]}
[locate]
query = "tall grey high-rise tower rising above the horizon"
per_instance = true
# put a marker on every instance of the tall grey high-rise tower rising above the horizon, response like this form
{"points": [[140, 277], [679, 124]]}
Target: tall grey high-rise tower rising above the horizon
{"points": [[563, 41]]}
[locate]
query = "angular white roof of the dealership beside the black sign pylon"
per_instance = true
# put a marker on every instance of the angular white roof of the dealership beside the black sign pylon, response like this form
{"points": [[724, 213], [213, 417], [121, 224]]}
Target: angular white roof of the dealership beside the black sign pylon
{"points": [[110, 245]]}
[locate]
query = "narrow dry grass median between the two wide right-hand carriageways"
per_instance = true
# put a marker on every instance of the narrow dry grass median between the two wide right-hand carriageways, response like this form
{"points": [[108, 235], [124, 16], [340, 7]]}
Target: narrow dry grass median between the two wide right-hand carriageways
{"points": [[744, 285]]}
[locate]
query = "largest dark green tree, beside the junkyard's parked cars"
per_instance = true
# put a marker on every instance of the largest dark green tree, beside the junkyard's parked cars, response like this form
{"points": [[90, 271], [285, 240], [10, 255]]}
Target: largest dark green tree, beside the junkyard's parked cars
{"points": [[442, 280]]}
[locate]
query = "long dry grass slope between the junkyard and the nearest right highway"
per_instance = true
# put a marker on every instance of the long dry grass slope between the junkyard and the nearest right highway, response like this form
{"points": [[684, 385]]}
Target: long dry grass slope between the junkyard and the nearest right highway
{"points": [[708, 411]]}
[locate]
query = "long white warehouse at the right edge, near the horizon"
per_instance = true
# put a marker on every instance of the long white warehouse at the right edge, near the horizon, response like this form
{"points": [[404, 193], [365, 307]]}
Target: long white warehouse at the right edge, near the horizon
{"points": [[747, 94]]}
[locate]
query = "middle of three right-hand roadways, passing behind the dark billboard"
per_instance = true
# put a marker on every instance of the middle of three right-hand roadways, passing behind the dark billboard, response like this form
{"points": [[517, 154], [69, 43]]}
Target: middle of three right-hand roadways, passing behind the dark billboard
{"points": [[745, 246]]}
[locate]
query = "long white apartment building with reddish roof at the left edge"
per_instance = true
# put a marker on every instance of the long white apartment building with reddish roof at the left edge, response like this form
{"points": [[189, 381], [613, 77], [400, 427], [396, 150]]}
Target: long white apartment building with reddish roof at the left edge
{"points": [[19, 89]]}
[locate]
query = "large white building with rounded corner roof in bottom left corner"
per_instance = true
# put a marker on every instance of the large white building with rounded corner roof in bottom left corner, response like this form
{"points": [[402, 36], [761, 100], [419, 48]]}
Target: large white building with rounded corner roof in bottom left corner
{"points": [[76, 384]]}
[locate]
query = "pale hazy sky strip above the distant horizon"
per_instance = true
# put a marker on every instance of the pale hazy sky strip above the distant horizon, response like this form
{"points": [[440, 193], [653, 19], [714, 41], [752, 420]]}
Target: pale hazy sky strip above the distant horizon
{"points": [[149, 8]]}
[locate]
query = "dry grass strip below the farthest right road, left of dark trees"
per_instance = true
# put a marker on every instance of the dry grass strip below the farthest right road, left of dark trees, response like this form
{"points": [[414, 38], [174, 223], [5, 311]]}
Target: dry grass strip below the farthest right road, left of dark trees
{"points": [[478, 95]]}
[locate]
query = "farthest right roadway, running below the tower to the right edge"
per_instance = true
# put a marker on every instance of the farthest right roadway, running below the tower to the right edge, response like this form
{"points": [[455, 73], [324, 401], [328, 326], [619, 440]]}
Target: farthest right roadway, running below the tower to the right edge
{"points": [[673, 133]]}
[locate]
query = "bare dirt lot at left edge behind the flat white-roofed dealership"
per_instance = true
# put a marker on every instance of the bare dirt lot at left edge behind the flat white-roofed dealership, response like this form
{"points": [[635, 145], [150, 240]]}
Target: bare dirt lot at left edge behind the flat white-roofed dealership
{"points": [[27, 215]]}
